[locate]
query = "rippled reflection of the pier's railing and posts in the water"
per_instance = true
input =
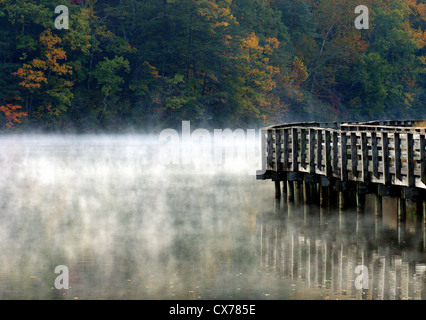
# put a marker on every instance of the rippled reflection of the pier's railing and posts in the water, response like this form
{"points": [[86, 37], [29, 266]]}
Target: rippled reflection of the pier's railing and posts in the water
{"points": [[322, 246]]}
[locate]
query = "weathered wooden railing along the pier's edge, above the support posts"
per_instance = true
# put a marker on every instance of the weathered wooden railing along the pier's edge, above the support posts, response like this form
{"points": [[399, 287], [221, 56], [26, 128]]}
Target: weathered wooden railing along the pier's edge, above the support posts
{"points": [[382, 152]]}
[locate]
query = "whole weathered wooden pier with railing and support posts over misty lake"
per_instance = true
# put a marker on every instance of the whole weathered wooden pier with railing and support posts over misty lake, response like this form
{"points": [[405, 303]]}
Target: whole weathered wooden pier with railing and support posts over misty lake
{"points": [[385, 158]]}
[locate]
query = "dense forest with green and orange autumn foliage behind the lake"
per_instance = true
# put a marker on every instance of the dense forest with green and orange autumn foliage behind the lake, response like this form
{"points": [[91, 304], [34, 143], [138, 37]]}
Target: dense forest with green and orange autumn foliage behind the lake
{"points": [[148, 64]]}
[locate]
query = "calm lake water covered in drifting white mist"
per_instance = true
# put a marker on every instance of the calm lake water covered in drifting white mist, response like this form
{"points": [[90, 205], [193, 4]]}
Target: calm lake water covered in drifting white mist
{"points": [[128, 226]]}
